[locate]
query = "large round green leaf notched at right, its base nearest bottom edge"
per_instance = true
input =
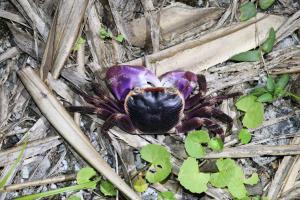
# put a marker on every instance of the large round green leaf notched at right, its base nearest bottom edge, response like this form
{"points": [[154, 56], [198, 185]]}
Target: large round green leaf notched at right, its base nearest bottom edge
{"points": [[190, 177]]}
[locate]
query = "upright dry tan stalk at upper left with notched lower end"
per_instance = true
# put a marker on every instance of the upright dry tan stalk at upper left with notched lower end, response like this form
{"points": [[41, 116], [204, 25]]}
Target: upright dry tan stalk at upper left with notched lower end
{"points": [[63, 34]]}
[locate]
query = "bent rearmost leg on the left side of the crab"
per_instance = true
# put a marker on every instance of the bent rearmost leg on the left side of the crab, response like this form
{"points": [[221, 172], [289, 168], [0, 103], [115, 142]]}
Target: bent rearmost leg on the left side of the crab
{"points": [[120, 120]]}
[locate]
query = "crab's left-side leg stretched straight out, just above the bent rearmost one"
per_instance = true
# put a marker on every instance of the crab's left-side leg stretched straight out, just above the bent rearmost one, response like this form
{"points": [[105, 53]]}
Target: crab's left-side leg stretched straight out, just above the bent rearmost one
{"points": [[100, 112]]}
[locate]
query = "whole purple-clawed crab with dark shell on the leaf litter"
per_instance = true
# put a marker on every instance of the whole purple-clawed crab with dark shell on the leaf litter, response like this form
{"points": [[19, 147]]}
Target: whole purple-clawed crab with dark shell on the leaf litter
{"points": [[143, 103]]}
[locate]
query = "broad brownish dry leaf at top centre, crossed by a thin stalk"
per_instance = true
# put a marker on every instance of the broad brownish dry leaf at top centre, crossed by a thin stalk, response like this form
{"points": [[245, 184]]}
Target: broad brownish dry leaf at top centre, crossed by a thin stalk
{"points": [[174, 20]]}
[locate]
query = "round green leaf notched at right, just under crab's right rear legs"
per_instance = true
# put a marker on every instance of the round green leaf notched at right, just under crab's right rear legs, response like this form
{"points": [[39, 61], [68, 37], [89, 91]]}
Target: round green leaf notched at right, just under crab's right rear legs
{"points": [[193, 143]]}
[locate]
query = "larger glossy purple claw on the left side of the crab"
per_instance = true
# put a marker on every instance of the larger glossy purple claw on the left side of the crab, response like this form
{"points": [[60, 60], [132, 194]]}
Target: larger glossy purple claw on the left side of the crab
{"points": [[123, 78]]}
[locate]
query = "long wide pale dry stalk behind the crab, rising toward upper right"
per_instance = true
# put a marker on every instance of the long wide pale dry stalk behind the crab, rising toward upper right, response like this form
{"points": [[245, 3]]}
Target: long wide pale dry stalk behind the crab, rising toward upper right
{"points": [[200, 54]]}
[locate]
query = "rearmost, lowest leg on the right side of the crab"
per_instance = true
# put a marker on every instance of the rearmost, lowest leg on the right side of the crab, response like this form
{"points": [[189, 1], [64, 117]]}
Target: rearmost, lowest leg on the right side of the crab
{"points": [[197, 122]]}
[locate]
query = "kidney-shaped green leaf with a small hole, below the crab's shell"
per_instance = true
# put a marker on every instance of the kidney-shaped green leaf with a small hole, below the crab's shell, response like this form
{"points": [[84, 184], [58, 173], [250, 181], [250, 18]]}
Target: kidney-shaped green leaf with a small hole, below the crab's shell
{"points": [[159, 158]]}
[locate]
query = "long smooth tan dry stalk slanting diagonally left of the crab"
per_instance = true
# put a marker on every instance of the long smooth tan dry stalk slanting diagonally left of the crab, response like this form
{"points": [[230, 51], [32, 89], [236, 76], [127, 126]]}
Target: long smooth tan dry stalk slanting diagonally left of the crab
{"points": [[64, 124]]}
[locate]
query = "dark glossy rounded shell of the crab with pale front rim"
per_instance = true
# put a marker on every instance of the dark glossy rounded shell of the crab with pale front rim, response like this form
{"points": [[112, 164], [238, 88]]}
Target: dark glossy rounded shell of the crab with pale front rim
{"points": [[154, 109]]}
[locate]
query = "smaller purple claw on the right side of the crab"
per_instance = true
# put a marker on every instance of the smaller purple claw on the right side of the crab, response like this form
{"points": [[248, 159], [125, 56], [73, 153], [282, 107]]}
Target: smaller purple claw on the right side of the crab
{"points": [[184, 81]]}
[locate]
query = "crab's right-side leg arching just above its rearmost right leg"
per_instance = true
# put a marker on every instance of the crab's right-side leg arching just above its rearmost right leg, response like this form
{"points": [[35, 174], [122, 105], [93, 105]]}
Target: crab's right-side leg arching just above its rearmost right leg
{"points": [[208, 111]]}
